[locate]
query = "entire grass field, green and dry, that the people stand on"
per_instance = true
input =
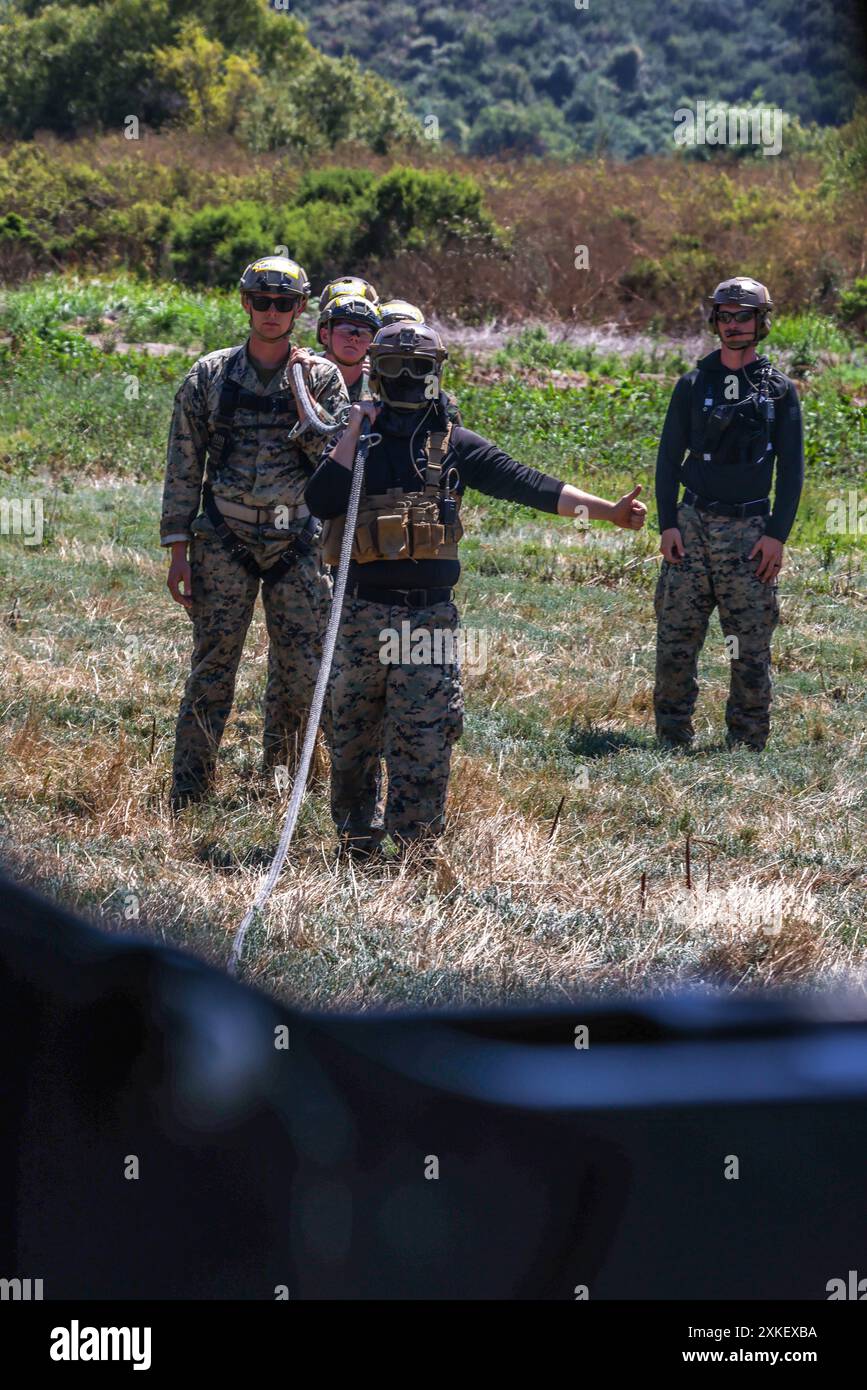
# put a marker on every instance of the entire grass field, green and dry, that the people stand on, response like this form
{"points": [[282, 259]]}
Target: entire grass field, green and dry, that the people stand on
{"points": [[563, 867]]}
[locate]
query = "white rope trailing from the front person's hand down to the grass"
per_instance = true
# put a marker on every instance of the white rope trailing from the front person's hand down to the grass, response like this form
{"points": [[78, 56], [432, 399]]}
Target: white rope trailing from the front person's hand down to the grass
{"points": [[316, 705]]}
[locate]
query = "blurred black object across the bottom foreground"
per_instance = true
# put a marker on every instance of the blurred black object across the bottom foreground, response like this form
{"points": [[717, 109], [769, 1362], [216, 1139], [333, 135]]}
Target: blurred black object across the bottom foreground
{"points": [[305, 1167]]}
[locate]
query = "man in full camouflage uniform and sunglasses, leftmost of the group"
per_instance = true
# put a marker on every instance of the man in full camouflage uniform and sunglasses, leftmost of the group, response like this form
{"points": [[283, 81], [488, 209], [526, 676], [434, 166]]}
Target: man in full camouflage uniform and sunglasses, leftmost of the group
{"points": [[258, 480]]}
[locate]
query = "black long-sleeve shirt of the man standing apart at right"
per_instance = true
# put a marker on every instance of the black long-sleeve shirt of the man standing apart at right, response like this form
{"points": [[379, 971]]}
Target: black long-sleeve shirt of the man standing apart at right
{"points": [[733, 482]]}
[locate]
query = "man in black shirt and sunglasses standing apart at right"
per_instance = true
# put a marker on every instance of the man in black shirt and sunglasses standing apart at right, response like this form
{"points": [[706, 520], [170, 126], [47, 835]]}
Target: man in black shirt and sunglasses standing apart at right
{"points": [[734, 418]]}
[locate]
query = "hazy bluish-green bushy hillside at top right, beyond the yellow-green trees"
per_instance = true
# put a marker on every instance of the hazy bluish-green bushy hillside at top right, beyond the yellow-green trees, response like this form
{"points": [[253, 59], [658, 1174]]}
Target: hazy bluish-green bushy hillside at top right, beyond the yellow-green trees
{"points": [[562, 80]]}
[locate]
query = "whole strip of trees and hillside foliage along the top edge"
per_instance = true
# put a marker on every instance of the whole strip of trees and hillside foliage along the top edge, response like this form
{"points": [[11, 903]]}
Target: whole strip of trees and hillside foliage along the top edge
{"points": [[497, 77]]}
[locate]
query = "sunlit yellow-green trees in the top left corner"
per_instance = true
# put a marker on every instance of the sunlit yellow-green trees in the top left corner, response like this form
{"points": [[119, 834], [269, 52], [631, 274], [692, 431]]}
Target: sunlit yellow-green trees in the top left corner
{"points": [[213, 66]]}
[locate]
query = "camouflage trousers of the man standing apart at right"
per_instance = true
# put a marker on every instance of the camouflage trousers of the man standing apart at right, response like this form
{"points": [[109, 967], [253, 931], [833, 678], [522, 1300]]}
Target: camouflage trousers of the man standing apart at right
{"points": [[716, 572]]}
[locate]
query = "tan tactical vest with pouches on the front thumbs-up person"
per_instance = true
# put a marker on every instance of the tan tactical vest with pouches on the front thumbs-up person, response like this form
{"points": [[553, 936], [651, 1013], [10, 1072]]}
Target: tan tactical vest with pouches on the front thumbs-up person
{"points": [[401, 525]]}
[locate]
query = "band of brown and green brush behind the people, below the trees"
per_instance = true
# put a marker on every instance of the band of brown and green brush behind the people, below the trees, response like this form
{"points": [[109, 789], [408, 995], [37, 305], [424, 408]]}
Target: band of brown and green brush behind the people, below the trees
{"points": [[473, 240]]}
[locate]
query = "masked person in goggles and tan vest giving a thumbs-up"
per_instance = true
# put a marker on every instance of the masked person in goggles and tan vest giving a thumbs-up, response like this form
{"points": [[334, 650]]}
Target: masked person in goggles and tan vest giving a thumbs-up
{"points": [[402, 712]]}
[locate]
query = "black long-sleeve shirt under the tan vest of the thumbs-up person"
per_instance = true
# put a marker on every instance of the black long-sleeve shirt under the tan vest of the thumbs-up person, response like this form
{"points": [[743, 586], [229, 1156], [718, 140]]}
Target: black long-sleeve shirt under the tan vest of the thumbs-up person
{"points": [[479, 465]]}
